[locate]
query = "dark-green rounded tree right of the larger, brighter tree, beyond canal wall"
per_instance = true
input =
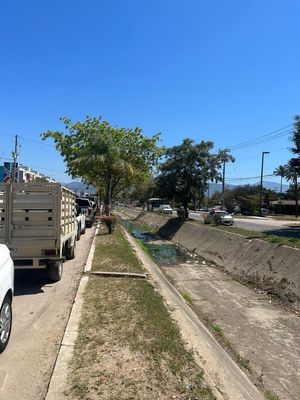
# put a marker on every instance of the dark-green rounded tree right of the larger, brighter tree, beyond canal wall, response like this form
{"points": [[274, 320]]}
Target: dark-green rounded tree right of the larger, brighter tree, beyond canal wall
{"points": [[188, 168]]}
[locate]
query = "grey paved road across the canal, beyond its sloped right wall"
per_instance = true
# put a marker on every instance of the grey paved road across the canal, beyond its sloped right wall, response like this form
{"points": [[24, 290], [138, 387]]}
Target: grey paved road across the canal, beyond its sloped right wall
{"points": [[272, 227]]}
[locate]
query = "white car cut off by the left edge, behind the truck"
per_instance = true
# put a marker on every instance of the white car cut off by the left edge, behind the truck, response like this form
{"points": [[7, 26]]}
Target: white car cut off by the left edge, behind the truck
{"points": [[6, 295]]}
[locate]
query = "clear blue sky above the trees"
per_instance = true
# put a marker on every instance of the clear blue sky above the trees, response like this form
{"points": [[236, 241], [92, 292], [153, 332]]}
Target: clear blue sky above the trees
{"points": [[225, 71]]}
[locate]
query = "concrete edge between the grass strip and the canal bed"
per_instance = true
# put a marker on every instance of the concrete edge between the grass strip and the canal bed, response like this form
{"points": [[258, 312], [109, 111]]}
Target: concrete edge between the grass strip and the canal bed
{"points": [[230, 381]]}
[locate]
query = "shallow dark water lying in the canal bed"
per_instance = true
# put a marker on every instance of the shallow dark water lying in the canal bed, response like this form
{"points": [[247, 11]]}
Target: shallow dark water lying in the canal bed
{"points": [[163, 252]]}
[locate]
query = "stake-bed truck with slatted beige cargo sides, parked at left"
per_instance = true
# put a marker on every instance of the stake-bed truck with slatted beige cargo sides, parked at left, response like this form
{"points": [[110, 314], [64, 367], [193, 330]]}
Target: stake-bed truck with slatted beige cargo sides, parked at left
{"points": [[38, 225]]}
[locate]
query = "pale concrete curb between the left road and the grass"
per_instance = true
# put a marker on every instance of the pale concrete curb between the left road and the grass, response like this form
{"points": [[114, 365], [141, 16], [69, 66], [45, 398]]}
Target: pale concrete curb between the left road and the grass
{"points": [[57, 383]]}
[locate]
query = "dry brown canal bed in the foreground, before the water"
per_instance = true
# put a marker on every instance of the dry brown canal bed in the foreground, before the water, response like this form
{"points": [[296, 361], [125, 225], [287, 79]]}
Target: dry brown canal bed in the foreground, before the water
{"points": [[264, 337]]}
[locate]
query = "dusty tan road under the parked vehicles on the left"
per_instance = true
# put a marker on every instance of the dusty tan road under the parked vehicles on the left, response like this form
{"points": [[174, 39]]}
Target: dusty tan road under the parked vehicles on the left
{"points": [[40, 314]]}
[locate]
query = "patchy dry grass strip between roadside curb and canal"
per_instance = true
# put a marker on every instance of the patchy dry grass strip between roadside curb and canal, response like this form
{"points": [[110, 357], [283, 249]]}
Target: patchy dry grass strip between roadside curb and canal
{"points": [[128, 346]]}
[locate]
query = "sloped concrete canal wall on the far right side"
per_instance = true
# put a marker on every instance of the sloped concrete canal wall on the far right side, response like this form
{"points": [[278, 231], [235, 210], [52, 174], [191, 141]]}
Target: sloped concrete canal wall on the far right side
{"points": [[270, 267]]}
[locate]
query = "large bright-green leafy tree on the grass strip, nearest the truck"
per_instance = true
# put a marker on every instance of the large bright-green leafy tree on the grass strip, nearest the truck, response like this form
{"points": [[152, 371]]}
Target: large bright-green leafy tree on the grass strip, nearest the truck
{"points": [[110, 158]]}
